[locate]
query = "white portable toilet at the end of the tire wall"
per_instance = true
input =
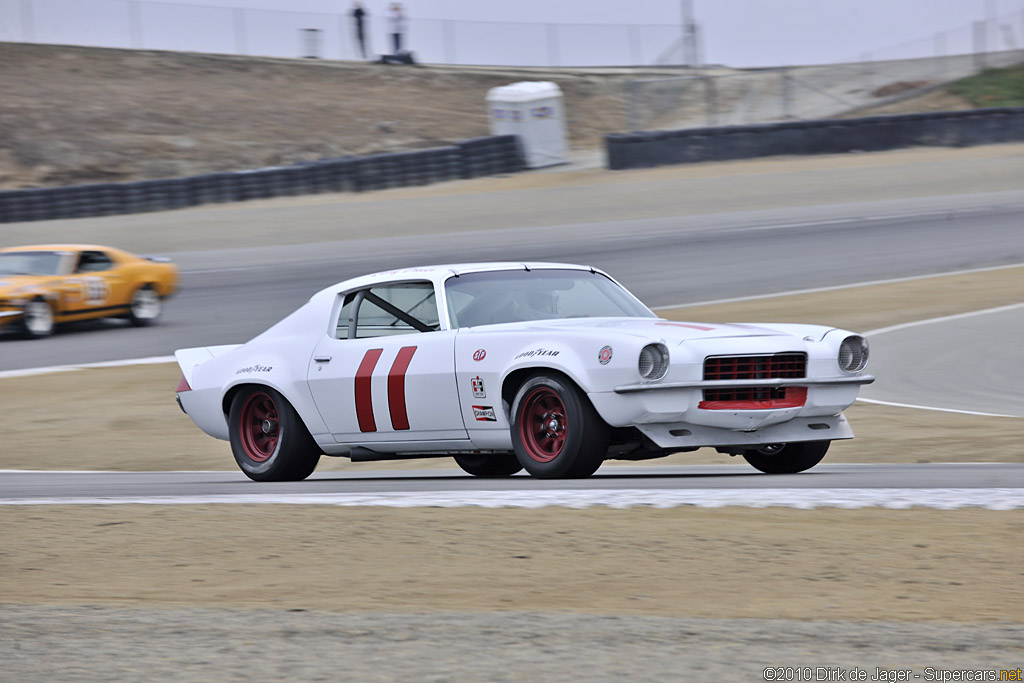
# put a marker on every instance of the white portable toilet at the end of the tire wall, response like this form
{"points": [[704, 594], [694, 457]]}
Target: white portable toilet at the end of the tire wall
{"points": [[535, 112]]}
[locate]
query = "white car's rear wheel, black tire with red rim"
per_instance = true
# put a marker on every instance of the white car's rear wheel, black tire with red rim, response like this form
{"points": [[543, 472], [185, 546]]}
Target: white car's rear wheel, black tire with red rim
{"points": [[269, 440]]}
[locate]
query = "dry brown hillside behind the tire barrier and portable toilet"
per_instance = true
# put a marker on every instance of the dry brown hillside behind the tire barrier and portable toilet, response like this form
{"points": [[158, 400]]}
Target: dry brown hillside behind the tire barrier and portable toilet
{"points": [[74, 115]]}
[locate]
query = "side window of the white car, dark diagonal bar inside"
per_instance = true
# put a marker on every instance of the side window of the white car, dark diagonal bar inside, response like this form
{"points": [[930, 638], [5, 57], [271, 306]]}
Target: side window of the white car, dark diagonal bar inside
{"points": [[390, 310]]}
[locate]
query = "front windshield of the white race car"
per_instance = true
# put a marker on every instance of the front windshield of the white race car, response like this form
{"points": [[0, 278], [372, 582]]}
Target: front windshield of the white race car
{"points": [[514, 296]]}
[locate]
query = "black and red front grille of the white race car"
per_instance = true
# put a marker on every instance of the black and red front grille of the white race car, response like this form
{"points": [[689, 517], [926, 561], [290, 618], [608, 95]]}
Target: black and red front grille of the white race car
{"points": [[778, 366]]}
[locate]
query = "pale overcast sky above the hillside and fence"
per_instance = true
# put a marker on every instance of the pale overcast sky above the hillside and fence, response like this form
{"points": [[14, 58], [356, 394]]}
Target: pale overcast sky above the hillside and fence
{"points": [[740, 33]]}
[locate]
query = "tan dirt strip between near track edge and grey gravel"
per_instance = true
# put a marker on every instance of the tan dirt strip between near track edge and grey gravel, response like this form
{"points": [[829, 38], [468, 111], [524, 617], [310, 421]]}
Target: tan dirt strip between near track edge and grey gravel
{"points": [[914, 566]]}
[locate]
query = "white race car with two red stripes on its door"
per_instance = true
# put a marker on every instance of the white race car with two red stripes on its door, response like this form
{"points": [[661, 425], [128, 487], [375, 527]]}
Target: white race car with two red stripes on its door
{"points": [[544, 367]]}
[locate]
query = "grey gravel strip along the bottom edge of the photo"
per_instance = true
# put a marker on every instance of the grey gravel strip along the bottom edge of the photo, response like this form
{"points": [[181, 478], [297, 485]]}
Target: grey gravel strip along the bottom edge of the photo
{"points": [[49, 644]]}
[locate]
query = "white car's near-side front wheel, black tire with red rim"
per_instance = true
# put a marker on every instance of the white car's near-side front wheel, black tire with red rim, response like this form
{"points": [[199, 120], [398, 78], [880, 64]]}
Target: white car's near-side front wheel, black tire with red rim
{"points": [[557, 433]]}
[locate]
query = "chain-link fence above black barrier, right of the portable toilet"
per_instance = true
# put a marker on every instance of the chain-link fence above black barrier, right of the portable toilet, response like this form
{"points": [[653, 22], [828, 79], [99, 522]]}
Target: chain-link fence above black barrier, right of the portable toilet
{"points": [[716, 97]]}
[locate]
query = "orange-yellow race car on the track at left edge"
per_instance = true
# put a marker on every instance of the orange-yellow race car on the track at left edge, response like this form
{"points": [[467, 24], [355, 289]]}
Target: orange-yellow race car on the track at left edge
{"points": [[44, 286]]}
